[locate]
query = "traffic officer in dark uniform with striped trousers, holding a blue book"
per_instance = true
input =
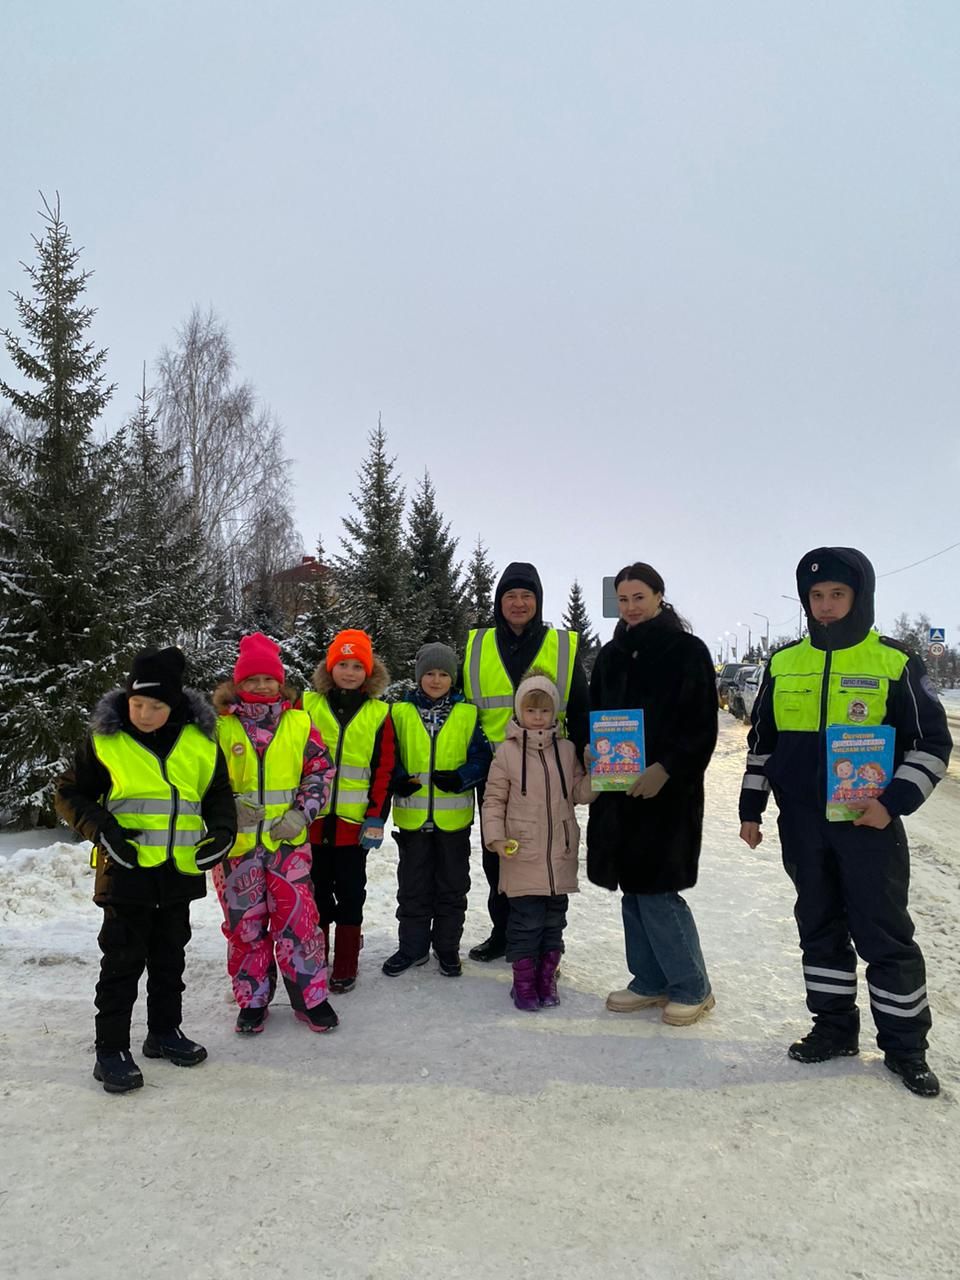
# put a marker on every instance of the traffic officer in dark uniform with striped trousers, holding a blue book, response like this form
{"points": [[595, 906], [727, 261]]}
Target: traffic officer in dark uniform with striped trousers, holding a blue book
{"points": [[851, 877]]}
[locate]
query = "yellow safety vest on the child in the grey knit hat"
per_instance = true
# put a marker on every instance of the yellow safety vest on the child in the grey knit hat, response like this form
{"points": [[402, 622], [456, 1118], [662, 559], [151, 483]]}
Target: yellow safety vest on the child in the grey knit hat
{"points": [[422, 755]]}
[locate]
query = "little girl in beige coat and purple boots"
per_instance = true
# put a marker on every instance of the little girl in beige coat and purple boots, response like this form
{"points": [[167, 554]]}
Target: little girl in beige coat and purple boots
{"points": [[529, 820]]}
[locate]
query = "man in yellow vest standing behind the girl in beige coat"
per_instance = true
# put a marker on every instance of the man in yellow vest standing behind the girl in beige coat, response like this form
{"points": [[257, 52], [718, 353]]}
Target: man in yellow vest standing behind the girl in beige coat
{"points": [[497, 660]]}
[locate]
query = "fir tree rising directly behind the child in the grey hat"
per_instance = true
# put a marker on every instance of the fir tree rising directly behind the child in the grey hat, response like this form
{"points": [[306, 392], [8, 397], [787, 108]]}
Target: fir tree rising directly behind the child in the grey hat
{"points": [[435, 575]]}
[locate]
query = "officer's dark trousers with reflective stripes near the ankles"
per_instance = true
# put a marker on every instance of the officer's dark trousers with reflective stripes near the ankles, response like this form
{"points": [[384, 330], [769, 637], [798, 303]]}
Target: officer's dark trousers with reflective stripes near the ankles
{"points": [[852, 889]]}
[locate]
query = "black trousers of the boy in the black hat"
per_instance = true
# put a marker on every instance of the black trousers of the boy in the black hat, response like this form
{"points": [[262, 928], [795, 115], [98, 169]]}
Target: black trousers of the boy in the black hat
{"points": [[135, 938]]}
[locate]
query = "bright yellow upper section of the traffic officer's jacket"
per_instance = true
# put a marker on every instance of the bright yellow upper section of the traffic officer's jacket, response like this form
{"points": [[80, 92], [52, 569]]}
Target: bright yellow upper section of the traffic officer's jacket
{"points": [[857, 685]]}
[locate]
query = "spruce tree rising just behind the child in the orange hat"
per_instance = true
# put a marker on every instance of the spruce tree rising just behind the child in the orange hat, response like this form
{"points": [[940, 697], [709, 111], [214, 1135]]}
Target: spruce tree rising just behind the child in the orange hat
{"points": [[373, 573]]}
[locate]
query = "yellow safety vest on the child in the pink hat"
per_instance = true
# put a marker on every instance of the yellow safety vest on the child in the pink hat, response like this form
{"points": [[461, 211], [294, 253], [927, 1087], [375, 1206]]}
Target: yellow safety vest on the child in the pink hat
{"points": [[271, 780]]}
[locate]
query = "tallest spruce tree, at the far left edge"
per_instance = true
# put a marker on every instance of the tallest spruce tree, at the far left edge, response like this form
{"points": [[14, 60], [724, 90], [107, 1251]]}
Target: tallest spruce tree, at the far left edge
{"points": [[57, 625]]}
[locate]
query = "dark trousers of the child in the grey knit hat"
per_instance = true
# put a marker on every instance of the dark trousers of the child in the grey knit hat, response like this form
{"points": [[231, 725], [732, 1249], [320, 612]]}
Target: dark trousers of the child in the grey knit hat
{"points": [[433, 881]]}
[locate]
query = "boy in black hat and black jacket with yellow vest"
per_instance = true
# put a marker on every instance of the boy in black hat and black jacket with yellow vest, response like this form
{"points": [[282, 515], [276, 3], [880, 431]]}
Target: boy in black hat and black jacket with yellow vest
{"points": [[150, 790]]}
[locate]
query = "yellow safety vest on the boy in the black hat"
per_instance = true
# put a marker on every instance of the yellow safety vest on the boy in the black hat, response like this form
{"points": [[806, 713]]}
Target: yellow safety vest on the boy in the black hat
{"points": [[159, 802]]}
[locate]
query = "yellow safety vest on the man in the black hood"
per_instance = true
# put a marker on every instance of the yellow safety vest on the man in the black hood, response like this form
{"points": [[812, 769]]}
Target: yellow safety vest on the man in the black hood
{"points": [[488, 685]]}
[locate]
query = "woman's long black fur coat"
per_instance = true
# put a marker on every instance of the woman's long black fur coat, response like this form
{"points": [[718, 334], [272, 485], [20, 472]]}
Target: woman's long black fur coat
{"points": [[653, 847]]}
